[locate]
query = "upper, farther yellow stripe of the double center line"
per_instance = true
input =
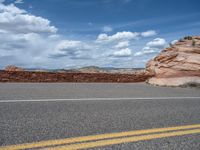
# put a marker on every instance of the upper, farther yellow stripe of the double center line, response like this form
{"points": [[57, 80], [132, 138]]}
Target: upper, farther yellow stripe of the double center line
{"points": [[95, 137]]}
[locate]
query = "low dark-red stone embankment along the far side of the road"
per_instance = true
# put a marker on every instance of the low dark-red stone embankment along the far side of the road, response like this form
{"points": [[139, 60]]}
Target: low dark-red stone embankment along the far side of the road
{"points": [[27, 76]]}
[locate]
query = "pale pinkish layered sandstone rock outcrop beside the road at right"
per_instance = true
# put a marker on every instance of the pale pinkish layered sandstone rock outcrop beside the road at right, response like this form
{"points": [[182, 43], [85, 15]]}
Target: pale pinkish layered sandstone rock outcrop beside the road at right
{"points": [[176, 65]]}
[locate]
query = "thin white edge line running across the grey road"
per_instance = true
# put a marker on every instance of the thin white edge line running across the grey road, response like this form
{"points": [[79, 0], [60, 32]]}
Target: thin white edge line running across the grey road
{"points": [[93, 99]]}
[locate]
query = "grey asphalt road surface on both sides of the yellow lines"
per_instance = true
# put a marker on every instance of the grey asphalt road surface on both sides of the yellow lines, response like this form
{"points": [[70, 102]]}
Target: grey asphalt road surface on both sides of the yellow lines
{"points": [[141, 107]]}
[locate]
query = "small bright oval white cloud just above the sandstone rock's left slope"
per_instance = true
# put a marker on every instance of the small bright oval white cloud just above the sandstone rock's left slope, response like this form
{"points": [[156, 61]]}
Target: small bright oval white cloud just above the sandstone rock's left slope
{"points": [[157, 43]]}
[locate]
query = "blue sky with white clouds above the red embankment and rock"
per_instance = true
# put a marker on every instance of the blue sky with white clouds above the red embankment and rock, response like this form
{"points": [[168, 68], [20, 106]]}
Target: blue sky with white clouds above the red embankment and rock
{"points": [[55, 34]]}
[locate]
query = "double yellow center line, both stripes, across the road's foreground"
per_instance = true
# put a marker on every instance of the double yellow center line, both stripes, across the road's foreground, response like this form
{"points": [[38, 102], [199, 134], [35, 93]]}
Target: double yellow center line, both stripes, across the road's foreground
{"points": [[108, 139]]}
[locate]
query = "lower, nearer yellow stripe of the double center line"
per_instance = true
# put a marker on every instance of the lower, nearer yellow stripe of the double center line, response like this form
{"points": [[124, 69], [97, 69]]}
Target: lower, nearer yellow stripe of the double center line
{"points": [[124, 140]]}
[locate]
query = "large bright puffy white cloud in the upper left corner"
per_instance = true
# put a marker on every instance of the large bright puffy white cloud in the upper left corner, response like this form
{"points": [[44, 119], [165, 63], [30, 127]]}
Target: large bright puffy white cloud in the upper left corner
{"points": [[18, 20]]}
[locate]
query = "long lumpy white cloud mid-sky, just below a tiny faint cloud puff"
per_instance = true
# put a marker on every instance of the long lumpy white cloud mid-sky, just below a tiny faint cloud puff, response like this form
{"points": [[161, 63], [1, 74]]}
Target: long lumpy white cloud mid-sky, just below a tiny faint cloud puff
{"points": [[125, 35]]}
